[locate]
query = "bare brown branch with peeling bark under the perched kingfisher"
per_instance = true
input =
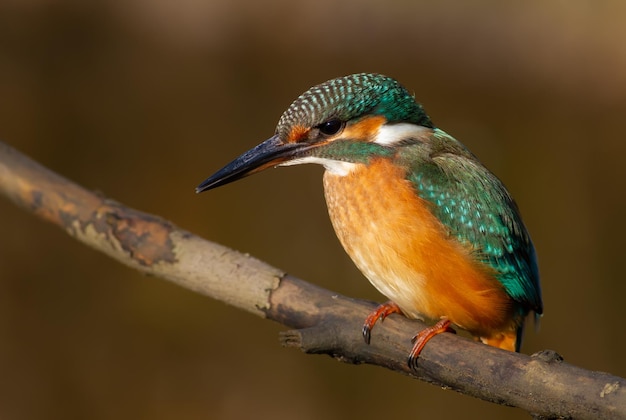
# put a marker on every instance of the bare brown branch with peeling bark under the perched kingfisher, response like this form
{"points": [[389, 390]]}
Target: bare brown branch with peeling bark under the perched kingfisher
{"points": [[326, 322]]}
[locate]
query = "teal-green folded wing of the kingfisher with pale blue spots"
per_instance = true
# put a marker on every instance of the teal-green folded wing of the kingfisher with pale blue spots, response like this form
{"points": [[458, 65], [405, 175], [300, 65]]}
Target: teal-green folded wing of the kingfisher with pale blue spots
{"points": [[478, 210]]}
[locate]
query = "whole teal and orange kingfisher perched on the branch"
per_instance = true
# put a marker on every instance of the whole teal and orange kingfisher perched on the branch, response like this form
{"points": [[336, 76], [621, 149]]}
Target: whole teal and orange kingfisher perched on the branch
{"points": [[429, 226]]}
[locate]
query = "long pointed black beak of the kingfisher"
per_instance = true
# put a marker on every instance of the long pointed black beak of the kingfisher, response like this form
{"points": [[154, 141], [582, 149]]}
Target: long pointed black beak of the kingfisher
{"points": [[271, 152]]}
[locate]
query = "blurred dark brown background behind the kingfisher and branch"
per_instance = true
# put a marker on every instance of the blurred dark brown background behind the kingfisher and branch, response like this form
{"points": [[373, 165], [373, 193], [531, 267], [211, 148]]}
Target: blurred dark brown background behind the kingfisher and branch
{"points": [[143, 99]]}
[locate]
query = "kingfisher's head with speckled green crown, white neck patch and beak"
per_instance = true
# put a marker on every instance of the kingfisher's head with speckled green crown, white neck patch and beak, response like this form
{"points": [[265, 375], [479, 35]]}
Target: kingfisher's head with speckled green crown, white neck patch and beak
{"points": [[337, 124]]}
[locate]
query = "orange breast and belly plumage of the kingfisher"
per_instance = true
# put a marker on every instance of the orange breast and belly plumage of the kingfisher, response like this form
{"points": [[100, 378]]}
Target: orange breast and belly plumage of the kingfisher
{"points": [[407, 254]]}
